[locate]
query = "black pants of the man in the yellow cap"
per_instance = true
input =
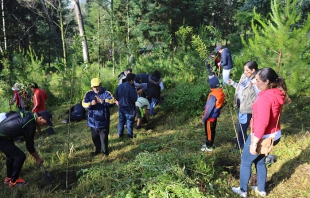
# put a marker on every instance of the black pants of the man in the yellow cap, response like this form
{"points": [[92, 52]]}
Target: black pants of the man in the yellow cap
{"points": [[100, 140]]}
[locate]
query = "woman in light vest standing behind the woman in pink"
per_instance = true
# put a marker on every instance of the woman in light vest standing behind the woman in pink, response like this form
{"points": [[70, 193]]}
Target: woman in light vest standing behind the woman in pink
{"points": [[245, 95]]}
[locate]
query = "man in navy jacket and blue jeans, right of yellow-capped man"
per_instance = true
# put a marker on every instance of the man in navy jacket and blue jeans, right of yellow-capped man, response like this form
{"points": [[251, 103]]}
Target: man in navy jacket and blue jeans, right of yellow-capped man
{"points": [[126, 97]]}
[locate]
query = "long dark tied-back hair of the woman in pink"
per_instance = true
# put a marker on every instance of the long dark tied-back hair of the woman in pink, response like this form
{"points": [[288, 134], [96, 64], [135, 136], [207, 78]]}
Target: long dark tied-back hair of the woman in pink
{"points": [[275, 81]]}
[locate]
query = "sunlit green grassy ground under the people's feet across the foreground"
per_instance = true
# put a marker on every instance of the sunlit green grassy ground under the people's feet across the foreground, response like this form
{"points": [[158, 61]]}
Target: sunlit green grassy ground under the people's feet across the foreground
{"points": [[163, 161]]}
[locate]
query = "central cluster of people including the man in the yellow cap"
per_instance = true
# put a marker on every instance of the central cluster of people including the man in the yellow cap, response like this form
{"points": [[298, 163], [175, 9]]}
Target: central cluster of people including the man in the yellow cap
{"points": [[130, 101]]}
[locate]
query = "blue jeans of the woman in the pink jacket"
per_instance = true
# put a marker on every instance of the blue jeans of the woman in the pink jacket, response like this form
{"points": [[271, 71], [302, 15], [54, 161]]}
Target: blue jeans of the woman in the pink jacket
{"points": [[247, 159]]}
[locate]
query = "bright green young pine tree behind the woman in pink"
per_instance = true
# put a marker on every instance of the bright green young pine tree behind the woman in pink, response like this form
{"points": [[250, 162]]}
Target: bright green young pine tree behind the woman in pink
{"points": [[280, 43]]}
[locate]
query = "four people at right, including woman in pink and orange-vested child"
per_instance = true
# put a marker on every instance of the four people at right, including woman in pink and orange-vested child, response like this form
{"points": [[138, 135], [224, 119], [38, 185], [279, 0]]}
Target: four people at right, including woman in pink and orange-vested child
{"points": [[259, 97]]}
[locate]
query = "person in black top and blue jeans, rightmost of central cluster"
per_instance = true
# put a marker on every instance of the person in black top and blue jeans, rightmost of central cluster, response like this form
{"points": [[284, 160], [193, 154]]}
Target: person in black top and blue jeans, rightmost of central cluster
{"points": [[154, 87]]}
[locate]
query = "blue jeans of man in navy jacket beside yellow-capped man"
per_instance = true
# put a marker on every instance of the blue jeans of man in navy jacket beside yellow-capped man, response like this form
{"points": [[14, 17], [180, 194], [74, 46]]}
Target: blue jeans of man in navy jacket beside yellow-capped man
{"points": [[126, 117]]}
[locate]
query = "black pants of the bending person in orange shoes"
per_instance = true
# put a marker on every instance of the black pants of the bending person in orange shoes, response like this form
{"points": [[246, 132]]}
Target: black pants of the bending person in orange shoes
{"points": [[14, 158]]}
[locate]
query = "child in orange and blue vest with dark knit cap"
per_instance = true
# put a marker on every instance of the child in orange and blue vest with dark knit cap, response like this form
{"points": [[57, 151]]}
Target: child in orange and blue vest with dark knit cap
{"points": [[212, 109]]}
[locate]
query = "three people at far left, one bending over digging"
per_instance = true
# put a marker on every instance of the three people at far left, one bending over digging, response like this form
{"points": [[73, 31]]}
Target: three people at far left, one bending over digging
{"points": [[22, 123]]}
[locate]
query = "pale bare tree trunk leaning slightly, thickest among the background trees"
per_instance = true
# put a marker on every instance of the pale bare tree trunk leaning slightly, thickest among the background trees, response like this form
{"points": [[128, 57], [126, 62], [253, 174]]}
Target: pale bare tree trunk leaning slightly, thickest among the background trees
{"points": [[79, 19]]}
